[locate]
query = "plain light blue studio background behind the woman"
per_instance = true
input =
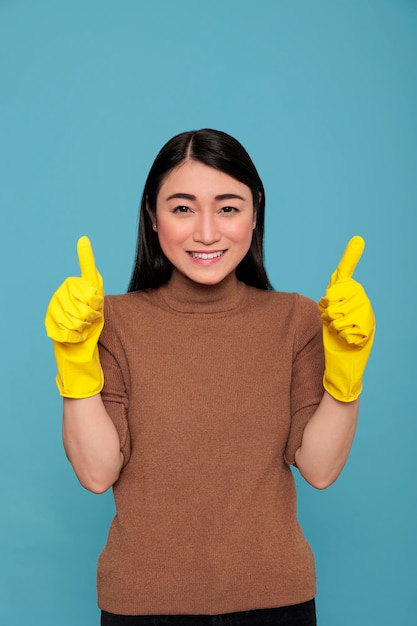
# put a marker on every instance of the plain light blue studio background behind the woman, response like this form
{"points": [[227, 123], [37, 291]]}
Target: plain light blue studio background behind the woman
{"points": [[323, 94]]}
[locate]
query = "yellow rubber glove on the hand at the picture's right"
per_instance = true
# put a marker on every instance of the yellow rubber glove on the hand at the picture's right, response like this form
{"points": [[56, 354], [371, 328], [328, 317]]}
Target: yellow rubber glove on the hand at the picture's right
{"points": [[348, 327]]}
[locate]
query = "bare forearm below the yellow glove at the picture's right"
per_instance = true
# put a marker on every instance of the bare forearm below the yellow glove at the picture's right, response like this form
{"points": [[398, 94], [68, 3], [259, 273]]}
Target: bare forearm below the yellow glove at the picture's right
{"points": [[327, 441]]}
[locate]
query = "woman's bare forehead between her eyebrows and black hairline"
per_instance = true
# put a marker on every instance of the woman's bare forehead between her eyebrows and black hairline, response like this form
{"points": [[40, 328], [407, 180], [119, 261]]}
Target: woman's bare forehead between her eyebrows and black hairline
{"points": [[199, 179]]}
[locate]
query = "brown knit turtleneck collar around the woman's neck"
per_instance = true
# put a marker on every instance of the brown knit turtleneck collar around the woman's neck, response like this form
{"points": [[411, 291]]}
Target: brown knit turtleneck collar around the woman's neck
{"points": [[186, 296]]}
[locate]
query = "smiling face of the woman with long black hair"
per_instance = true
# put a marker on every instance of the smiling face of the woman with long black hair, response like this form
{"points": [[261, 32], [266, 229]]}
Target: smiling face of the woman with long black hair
{"points": [[205, 220]]}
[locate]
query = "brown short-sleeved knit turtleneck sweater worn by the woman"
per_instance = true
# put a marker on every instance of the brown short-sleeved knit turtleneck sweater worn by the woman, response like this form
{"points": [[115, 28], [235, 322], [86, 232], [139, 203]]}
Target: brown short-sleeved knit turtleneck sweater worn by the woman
{"points": [[210, 389]]}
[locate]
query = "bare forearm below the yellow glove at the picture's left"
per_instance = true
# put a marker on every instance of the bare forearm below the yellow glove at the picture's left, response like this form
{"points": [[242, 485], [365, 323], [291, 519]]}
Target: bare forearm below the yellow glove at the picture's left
{"points": [[91, 443]]}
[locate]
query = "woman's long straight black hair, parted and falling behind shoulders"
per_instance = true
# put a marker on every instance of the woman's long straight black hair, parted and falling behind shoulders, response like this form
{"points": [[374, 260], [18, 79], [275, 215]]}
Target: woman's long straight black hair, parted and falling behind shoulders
{"points": [[219, 150]]}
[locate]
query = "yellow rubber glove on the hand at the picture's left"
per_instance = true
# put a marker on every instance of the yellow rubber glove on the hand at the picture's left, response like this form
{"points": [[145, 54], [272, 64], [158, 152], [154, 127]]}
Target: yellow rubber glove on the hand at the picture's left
{"points": [[74, 321]]}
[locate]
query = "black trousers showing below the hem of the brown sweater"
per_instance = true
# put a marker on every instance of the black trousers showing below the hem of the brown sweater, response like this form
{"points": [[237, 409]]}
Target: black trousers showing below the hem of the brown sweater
{"points": [[297, 615]]}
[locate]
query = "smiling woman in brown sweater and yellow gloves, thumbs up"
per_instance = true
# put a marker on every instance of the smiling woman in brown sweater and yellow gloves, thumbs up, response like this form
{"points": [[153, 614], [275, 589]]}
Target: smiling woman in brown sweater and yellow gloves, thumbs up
{"points": [[213, 386]]}
